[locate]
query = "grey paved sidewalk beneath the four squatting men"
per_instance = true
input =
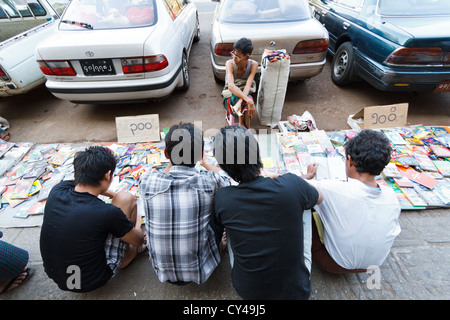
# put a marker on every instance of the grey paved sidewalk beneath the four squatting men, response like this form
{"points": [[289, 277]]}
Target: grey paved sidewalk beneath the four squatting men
{"points": [[417, 268]]}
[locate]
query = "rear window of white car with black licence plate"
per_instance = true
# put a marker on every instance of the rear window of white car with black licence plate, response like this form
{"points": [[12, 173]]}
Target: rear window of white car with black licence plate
{"points": [[108, 14]]}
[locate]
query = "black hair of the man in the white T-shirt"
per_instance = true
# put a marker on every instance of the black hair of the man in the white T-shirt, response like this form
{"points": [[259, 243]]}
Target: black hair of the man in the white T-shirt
{"points": [[370, 150]]}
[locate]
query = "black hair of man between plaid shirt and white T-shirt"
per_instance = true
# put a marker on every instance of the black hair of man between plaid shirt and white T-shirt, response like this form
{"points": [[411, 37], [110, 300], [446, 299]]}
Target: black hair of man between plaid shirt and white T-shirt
{"points": [[237, 152]]}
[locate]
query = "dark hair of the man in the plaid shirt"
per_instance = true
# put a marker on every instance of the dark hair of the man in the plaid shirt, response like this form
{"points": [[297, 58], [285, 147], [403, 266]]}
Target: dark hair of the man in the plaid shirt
{"points": [[184, 144]]}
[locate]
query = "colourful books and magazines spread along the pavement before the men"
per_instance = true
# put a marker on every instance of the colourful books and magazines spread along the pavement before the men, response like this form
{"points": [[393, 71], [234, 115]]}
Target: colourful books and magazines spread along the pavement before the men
{"points": [[419, 171]]}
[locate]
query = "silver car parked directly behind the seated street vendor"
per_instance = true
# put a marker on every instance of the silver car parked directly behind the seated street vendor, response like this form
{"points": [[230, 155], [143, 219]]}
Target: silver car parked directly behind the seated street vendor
{"points": [[270, 24]]}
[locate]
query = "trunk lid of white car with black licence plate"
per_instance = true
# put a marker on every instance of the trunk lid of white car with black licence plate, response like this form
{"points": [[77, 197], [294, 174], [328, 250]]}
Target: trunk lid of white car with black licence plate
{"points": [[113, 43]]}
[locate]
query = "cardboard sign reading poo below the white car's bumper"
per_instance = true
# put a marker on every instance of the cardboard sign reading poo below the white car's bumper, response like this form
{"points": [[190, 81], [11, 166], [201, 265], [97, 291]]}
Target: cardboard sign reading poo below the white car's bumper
{"points": [[135, 129]]}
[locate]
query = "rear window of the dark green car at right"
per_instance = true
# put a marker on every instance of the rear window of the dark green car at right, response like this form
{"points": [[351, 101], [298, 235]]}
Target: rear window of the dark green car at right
{"points": [[414, 7]]}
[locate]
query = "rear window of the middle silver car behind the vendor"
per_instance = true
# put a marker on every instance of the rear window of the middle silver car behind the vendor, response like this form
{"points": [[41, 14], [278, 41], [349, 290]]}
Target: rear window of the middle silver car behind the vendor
{"points": [[256, 11]]}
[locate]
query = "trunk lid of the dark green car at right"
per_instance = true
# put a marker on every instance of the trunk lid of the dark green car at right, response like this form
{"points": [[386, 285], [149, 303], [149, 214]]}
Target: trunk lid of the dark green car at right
{"points": [[425, 31]]}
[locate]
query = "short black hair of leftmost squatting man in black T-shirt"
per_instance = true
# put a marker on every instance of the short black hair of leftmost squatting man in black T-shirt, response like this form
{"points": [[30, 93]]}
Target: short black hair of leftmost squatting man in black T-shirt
{"points": [[92, 164]]}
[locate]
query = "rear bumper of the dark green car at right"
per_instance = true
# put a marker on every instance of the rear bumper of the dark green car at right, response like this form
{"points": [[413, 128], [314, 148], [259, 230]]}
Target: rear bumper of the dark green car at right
{"points": [[387, 79]]}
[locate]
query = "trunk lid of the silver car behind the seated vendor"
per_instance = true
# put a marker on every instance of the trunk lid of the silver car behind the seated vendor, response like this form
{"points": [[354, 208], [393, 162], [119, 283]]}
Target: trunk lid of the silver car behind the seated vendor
{"points": [[281, 33]]}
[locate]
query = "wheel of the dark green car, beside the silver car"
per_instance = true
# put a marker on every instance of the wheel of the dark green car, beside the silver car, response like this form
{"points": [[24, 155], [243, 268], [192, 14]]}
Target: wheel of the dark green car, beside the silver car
{"points": [[342, 64]]}
